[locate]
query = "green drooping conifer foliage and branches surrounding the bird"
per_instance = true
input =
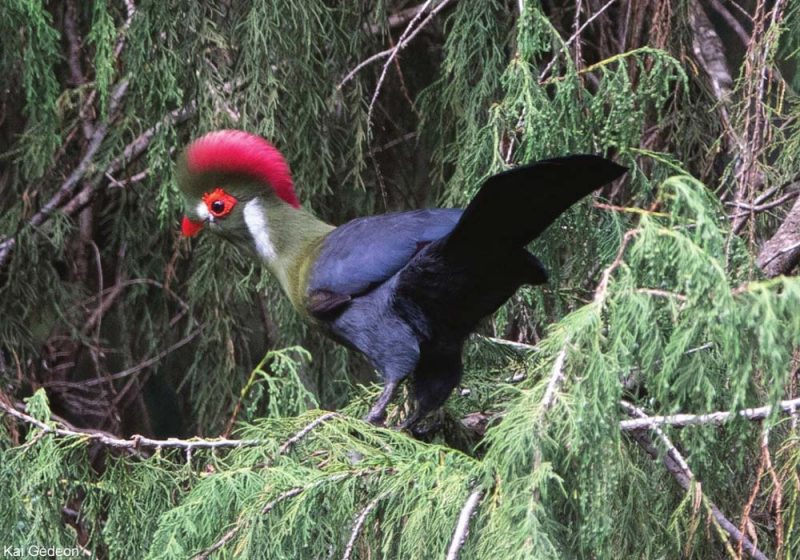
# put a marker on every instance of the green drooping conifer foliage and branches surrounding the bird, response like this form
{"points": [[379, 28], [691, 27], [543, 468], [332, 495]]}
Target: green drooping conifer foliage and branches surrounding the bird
{"points": [[159, 398]]}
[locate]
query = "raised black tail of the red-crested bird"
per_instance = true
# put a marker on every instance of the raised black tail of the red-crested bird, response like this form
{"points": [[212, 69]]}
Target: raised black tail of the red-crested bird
{"points": [[514, 207]]}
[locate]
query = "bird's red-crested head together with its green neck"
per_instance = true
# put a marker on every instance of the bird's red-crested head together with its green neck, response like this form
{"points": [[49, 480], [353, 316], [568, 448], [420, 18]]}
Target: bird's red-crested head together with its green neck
{"points": [[238, 186]]}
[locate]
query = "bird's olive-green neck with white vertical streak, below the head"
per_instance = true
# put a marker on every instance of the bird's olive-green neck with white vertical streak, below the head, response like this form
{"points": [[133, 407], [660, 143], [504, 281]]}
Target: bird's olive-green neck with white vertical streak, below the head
{"points": [[287, 240]]}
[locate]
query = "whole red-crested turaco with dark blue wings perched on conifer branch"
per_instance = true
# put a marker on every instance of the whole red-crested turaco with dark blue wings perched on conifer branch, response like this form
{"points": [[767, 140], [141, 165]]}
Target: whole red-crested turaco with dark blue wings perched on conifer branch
{"points": [[405, 289]]}
